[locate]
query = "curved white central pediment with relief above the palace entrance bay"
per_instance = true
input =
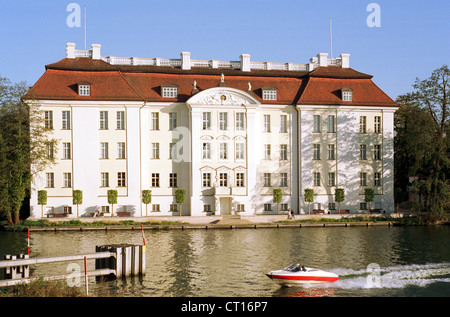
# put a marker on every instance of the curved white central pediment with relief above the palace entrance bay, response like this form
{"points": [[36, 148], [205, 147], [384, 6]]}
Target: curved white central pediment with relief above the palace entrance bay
{"points": [[222, 96]]}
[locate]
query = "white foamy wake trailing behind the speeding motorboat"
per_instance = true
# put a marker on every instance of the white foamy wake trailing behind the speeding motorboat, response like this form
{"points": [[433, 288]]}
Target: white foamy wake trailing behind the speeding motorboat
{"points": [[400, 276]]}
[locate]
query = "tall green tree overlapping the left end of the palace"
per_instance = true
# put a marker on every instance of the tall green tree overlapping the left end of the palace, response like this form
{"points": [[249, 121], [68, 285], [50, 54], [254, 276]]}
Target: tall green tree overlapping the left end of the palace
{"points": [[23, 146]]}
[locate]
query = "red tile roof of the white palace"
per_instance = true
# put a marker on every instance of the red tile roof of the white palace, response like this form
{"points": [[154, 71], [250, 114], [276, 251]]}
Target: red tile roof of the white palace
{"points": [[137, 83]]}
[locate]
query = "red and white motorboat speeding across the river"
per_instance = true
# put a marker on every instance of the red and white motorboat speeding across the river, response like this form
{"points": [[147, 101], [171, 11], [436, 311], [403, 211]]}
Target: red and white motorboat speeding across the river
{"points": [[296, 274]]}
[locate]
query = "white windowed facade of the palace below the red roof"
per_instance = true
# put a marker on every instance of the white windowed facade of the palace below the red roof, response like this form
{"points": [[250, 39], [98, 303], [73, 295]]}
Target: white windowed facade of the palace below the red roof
{"points": [[224, 147]]}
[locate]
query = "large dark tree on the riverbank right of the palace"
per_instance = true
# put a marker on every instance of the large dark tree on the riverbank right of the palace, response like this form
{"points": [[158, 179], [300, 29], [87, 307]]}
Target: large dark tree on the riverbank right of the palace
{"points": [[426, 153]]}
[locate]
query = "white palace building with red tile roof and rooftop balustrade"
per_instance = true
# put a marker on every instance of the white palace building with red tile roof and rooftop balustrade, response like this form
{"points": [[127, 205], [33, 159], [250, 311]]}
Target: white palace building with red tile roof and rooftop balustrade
{"points": [[227, 132]]}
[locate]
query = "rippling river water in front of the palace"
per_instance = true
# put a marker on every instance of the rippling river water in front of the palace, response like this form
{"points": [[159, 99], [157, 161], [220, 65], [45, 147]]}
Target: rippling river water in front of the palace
{"points": [[371, 261]]}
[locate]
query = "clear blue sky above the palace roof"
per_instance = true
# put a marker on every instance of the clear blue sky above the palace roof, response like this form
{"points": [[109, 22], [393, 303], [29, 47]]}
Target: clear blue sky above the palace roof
{"points": [[412, 40]]}
